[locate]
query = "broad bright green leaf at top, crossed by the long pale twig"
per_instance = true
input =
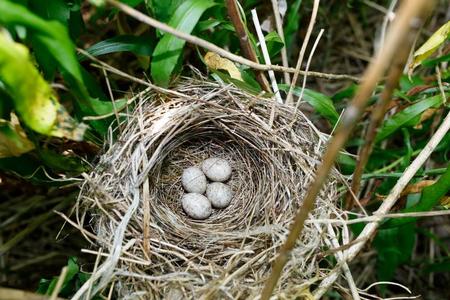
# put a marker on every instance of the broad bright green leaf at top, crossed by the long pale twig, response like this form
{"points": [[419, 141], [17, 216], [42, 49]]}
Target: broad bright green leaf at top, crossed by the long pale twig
{"points": [[169, 48]]}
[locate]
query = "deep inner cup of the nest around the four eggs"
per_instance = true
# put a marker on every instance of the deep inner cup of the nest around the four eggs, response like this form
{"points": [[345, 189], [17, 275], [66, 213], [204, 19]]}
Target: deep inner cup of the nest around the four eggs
{"points": [[261, 183]]}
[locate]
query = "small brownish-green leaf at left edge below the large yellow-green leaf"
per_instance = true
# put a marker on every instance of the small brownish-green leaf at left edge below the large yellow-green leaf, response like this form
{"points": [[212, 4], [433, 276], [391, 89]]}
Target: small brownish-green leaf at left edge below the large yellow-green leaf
{"points": [[13, 140]]}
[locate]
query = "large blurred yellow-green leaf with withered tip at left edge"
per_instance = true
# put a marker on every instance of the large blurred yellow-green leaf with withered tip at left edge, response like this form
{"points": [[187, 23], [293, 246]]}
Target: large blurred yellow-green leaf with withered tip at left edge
{"points": [[33, 97]]}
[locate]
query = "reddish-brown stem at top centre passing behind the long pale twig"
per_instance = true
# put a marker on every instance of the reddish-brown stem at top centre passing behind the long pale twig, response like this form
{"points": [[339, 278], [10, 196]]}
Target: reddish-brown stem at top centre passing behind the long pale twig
{"points": [[246, 47]]}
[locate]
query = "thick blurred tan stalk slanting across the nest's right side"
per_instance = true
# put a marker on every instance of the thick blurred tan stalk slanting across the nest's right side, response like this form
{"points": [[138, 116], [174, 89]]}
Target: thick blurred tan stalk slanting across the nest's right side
{"points": [[407, 16]]}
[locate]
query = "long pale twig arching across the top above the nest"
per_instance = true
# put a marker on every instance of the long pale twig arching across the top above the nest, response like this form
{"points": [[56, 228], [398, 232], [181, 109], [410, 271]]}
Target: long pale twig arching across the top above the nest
{"points": [[211, 47]]}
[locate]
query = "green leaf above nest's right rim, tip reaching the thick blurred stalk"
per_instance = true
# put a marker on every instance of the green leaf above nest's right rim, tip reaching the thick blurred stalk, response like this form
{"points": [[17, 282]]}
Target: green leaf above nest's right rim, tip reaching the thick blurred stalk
{"points": [[321, 103]]}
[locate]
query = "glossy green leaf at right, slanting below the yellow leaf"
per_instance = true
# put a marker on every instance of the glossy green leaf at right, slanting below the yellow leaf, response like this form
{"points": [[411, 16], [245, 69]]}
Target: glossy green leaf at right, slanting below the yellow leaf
{"points": [[405, 117]]}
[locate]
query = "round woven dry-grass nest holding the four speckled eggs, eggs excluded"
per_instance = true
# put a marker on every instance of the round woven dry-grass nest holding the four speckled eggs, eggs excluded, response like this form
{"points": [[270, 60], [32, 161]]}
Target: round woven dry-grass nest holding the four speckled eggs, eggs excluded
{"points": [[131, 201]]}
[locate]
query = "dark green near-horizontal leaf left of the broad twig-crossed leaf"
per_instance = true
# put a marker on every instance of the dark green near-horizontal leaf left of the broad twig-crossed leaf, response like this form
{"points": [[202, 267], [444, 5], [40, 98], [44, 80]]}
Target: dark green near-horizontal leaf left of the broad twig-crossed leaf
{"points": [[139, 45]]}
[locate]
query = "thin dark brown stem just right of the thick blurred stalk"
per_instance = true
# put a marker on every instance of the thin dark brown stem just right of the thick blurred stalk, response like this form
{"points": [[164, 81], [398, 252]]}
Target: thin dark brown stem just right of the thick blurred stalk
{"points": [[378, 113]]}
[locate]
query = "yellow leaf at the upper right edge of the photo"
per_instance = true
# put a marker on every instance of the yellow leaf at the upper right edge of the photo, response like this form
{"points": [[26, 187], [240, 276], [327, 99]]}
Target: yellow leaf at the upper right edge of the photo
{"points": [[431, 45]]}
